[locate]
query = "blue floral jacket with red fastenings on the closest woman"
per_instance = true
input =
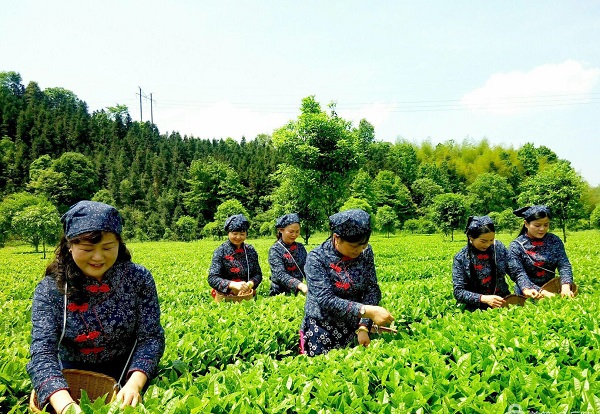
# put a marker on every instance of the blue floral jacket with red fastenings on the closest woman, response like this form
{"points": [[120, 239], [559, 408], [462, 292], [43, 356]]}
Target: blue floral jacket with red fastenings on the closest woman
{"points": [[122, 308]]}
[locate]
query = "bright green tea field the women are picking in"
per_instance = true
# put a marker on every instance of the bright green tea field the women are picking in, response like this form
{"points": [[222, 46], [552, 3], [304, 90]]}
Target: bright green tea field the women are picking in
{"points": [[243, 357]]}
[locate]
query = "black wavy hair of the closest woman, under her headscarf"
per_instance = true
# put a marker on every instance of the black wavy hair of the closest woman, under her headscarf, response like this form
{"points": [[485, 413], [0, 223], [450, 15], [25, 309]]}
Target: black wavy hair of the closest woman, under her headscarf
{"points": [[64, 268]]}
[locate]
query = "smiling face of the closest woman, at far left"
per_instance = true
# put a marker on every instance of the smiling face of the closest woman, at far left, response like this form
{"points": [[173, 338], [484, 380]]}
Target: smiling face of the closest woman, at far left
{"points": [[95, 259]]}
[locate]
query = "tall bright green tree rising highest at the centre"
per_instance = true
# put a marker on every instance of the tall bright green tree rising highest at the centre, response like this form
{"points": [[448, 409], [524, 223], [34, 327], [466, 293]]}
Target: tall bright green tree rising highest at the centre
{"points": [[321, 152]]}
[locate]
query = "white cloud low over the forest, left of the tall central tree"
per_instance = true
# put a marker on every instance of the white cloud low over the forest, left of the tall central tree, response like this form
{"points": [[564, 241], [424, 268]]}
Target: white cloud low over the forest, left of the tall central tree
{"points": [[219, 120]]}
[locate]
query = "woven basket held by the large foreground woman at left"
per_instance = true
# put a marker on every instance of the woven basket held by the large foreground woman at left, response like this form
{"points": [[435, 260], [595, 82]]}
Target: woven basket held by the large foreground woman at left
{"points": [[96, 386]]}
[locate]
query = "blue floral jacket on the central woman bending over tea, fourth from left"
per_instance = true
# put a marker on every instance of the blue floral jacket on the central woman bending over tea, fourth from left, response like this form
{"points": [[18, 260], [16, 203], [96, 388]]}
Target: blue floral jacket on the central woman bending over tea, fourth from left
{"points": [[337, 287]]}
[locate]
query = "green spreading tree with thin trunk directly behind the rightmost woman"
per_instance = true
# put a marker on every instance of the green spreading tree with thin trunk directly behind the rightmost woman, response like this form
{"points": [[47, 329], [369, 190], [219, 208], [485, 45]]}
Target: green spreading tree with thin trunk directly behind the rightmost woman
{"points": [[558, 187]]}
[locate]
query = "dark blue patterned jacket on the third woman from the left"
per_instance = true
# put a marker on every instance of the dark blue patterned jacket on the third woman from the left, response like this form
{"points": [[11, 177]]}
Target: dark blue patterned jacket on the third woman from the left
{"points": [[287, 266]]}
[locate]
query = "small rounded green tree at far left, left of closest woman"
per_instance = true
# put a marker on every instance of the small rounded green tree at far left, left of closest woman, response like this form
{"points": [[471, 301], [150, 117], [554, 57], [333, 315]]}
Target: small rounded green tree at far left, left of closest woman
{"points": [[37, 224]]}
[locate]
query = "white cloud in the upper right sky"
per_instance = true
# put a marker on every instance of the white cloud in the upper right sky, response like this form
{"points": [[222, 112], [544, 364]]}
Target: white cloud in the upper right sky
{"points": [[546, 85]]}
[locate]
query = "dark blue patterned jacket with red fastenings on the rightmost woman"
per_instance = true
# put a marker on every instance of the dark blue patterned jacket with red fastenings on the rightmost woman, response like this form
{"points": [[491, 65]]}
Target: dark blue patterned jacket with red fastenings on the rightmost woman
{"points": [[534, 262]]}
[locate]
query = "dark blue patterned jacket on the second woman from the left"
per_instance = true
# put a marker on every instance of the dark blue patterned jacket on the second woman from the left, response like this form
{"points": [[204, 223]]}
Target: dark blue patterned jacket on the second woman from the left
{"points": [[229, 263]]}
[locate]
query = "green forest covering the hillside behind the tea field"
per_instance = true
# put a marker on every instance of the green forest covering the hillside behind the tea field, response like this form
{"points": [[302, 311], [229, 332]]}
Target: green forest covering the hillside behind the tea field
{"points": [[54, 152]]}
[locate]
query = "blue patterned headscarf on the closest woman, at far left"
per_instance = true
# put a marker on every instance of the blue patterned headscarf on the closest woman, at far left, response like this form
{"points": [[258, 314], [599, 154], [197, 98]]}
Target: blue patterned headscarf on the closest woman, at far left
{"points": [[87, 216]]}
